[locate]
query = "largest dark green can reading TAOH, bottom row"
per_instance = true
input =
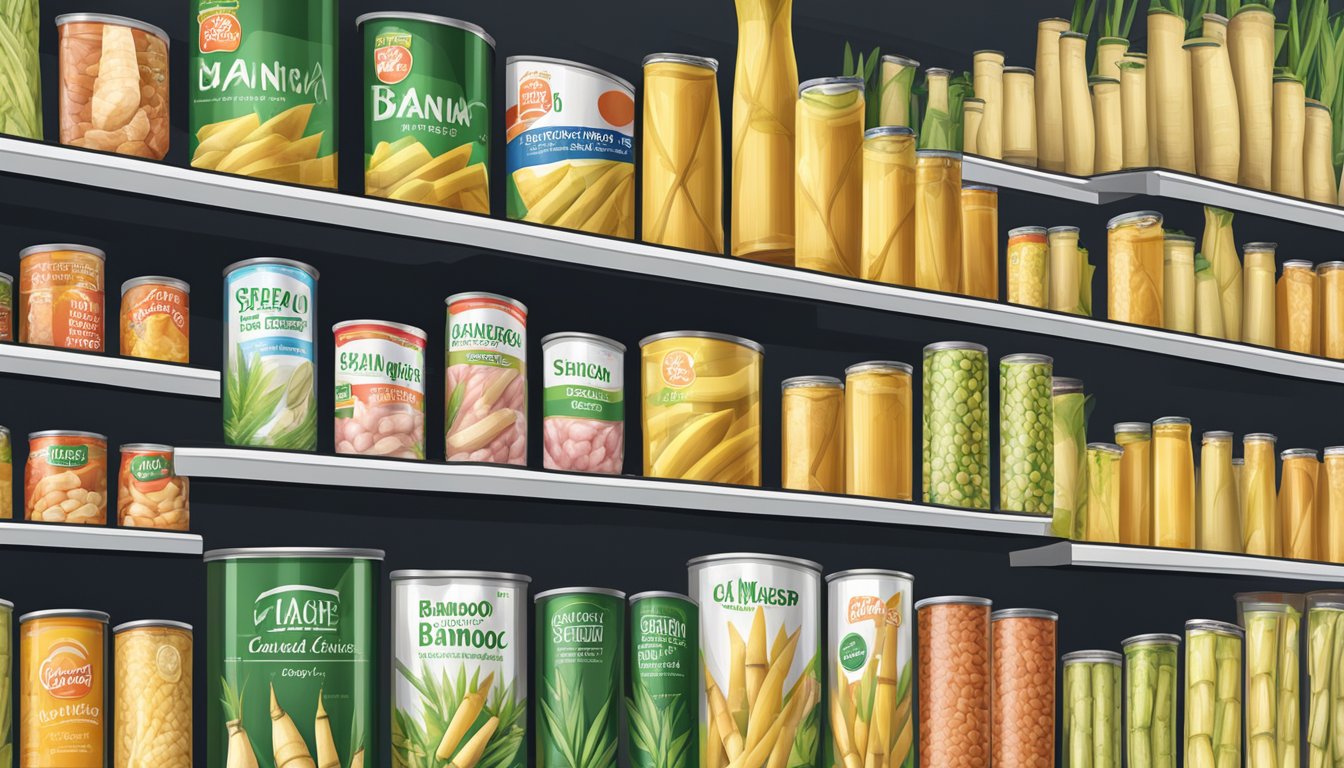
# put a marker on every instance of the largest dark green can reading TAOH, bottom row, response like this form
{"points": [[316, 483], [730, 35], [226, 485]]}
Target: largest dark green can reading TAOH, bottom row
{"points": [[292, 658]]}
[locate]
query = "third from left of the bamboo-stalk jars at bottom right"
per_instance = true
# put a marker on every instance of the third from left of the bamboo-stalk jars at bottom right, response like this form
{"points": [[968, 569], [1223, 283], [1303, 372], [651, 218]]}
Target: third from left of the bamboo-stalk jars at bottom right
{"points": [[1213, 695]]}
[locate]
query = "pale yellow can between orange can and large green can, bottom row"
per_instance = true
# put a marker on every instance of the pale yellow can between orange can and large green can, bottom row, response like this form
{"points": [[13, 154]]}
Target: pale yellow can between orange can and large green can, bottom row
{"points": [[153, 719]]}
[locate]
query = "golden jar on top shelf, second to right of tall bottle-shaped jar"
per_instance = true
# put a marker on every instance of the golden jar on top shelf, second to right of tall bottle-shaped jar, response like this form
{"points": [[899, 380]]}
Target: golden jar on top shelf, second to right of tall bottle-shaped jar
{"points": [[888, 252]]}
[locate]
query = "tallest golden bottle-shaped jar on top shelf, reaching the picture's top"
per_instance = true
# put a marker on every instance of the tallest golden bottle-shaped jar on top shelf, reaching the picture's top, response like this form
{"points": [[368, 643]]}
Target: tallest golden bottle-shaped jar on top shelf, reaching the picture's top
{"points": [[765, 91]]}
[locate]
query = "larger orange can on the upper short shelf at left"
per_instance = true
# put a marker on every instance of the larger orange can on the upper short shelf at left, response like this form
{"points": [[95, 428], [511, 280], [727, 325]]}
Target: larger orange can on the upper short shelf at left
{"points": [[61, 297]]}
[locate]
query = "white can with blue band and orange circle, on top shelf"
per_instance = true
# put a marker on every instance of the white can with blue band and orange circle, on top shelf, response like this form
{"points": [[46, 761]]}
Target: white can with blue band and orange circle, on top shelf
{"points": [[571, 146]]}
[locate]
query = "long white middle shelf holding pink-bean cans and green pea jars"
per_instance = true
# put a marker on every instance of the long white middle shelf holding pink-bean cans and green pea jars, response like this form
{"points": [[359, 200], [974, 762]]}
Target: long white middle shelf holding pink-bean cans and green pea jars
{"points": [[479, 479]]}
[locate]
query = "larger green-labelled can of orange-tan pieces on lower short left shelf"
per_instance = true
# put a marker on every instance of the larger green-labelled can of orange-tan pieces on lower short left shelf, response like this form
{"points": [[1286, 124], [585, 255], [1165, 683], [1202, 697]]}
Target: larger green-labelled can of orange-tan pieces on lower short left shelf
{"points": [[67, 478]]}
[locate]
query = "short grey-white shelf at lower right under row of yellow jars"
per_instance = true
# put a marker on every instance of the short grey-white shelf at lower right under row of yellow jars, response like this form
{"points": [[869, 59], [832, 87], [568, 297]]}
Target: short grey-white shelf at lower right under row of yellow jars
{"points": [[1174, 560]]}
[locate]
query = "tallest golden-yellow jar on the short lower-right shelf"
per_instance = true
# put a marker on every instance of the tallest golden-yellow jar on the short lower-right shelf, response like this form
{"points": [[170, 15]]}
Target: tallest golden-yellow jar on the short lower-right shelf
{"points": [[1174, 484]]}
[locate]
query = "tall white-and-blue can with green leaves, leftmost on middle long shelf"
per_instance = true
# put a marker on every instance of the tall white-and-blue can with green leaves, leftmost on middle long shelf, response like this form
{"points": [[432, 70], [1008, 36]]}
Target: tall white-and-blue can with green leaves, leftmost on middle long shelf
{"points": [[271, 389]]}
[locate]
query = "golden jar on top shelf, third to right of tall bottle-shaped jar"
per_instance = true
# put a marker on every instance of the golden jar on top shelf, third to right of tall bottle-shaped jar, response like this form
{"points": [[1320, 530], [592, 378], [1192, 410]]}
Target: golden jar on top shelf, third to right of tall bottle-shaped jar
{"points": [[939, 220]]}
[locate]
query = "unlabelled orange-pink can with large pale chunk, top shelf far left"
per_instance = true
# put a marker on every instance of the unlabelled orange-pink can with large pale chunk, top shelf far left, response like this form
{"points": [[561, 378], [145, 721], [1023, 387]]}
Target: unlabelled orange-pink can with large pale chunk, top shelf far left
{"points": [[114, 85]]}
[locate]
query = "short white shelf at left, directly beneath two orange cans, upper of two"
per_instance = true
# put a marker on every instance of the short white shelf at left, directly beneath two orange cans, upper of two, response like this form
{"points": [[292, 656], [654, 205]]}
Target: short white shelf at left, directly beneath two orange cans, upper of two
{"points": [[108, 371]]}
